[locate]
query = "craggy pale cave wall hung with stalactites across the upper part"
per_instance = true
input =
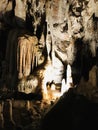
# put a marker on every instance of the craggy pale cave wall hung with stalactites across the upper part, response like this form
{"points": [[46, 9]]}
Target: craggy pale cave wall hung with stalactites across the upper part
{"points": [[66, 30]]}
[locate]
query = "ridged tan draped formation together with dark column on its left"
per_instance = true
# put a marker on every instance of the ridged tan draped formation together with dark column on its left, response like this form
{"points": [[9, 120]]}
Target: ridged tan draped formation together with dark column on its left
{"points": [[23, 54]]}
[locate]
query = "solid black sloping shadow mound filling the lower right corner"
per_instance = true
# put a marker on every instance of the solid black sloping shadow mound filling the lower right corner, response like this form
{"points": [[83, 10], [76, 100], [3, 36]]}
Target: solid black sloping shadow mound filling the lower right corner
{"points": [[72, 112]]}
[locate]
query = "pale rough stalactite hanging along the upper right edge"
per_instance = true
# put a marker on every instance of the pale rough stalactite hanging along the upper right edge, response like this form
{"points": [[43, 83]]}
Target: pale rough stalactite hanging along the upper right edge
{"points": [[88, 23]]}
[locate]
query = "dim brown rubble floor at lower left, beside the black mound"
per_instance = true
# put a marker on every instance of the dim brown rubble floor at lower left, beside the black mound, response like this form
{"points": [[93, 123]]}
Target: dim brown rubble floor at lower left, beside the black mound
{"points": [[22, 114]]}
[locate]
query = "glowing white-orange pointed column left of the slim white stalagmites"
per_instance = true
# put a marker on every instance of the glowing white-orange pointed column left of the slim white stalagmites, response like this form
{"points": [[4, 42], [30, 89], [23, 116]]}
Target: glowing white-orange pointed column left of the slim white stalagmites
{"points": [[49, 90]]}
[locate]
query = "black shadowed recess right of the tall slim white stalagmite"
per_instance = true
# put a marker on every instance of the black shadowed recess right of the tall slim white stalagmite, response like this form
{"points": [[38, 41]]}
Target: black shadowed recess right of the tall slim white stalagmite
{"points": [[84, 61]]}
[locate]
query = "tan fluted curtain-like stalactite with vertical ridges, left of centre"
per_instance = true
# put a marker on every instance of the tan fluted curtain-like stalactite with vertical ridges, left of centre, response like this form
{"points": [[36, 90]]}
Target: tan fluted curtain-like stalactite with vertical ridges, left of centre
{"points": [[26, 52]]}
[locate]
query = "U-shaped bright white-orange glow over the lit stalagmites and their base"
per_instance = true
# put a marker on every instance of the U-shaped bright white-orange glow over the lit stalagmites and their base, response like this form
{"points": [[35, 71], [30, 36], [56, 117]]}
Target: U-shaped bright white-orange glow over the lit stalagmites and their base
{"points": [[49, 90]]}
